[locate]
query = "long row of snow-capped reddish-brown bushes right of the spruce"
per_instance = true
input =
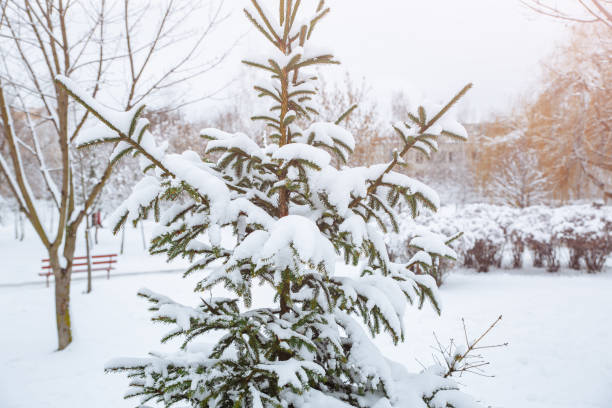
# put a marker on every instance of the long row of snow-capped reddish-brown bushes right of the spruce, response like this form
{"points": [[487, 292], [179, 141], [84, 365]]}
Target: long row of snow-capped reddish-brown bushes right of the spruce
{"points": [[489, 232]]}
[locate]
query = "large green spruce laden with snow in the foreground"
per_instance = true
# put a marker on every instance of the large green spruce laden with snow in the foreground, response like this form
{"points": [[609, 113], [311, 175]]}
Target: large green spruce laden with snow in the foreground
{"points": [[311, 232]]}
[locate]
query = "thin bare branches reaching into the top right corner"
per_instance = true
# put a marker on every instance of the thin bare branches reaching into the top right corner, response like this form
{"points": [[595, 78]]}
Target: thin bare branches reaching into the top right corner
{"points": [[583, 11]]}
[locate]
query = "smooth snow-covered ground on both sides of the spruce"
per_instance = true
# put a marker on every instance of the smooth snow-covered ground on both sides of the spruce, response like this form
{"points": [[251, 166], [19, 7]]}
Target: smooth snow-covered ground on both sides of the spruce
{"points": [[558, 327]]}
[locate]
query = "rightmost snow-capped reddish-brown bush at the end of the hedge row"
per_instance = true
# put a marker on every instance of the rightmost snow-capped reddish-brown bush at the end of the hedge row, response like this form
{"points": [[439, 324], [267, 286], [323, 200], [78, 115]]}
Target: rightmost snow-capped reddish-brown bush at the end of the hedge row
{"points": [[587, 232]]}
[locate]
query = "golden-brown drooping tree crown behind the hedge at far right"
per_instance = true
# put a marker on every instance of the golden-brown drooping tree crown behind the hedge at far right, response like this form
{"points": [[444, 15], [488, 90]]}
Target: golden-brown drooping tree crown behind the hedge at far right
{"points": [[571, 118]]}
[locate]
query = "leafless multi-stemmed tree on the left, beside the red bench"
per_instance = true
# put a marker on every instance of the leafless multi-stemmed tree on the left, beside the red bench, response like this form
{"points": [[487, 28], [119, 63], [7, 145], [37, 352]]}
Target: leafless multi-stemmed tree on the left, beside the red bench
{"points": [[116, 43]]}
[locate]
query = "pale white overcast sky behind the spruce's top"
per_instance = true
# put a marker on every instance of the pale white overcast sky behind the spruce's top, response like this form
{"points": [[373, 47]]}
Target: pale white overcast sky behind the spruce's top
{"points": [[429, 48]]}
